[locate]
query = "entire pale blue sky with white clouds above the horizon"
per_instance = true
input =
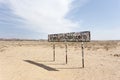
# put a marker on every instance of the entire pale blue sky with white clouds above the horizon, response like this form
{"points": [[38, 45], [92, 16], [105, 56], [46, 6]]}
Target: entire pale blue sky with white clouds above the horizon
{"points": [[36, 19]]}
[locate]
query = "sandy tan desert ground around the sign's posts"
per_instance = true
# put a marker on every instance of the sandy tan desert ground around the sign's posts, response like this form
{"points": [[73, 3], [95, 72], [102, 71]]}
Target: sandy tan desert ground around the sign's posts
{"points": [[33, 60]]}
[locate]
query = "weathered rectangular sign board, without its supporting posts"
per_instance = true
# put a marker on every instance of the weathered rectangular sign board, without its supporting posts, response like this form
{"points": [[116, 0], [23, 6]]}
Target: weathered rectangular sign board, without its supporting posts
{"points": [[70, 37]]}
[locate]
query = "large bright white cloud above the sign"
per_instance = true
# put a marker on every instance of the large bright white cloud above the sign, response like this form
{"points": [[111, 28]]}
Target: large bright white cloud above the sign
{"points": [[44, 16]]}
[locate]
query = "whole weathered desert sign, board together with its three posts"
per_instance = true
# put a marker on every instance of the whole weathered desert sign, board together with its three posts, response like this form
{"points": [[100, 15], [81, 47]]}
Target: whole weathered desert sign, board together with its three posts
{"points": [[70, 37]]}
